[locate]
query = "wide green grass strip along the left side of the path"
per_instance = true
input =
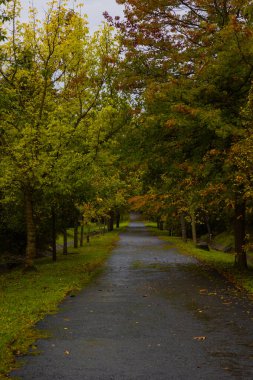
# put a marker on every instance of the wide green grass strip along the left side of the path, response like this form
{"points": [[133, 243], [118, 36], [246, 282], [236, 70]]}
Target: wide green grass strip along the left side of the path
{"points": [[27, 298]]}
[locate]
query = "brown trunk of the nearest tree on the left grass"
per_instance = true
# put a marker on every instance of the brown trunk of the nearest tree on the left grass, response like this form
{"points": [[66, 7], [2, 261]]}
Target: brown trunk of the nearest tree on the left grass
{"points": [[30, 232]]}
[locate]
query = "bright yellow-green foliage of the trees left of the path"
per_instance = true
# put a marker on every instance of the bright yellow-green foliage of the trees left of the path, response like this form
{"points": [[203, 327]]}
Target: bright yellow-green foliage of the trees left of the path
{"points": [[60, 114]]}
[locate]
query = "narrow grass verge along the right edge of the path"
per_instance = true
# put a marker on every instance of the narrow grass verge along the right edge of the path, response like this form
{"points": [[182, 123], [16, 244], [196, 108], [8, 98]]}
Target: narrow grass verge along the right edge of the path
{"points": [[222, 262]]}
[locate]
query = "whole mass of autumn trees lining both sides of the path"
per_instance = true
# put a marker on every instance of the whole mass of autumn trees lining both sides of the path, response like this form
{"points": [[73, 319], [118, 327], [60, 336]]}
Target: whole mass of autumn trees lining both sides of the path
{"points": [[152, 112]]}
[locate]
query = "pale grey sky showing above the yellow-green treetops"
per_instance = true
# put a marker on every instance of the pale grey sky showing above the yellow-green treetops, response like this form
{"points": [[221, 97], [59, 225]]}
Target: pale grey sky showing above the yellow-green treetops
{"points": [[93, 8]]}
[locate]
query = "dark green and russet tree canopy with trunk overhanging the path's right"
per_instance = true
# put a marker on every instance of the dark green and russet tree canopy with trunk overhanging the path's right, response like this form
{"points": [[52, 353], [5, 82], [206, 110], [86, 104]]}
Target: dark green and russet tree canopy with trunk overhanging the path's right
{"points": [[190, 65]]}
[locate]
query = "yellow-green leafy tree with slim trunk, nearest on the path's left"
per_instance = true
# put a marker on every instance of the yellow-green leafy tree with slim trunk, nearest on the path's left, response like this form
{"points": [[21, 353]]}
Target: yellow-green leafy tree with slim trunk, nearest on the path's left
{"points": [[53, 78]]}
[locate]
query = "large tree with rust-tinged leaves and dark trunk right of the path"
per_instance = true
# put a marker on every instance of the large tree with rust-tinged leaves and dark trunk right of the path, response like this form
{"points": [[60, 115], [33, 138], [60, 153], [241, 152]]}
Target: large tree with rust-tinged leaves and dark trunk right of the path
{"points": [[192, 63]]}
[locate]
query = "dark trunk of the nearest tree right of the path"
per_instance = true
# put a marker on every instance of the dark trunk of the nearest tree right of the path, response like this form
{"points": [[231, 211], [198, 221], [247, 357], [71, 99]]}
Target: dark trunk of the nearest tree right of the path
{"points": [[239, 231]]}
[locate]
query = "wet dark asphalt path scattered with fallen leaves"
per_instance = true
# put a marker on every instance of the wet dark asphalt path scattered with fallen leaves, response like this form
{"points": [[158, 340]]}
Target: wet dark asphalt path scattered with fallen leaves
{"points": [[153, 314]]}
